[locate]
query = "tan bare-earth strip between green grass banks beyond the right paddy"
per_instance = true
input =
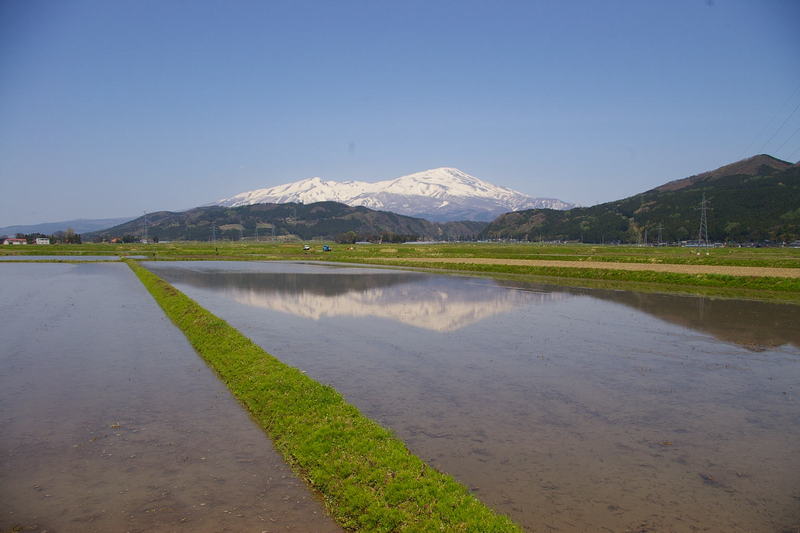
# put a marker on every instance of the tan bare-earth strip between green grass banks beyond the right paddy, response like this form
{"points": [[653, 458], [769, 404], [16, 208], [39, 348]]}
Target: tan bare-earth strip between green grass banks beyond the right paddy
{"points": [[651, 267]]}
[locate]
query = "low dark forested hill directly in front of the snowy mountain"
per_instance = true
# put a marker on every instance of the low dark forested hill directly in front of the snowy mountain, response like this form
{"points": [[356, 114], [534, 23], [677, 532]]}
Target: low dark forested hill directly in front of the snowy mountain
{"points": [[330, 220]]}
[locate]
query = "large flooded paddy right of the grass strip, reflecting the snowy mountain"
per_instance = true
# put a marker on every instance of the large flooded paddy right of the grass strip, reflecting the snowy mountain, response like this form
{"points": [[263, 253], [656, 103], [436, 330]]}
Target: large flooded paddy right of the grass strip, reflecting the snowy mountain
{"points": [[568, 409]]}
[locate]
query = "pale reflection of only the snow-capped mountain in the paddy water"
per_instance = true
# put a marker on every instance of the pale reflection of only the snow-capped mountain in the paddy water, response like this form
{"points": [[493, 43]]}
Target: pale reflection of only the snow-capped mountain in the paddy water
{"points": [[437, 308]]}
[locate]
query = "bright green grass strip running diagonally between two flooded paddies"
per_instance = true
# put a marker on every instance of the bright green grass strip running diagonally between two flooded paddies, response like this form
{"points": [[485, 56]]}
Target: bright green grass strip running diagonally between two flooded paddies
{"points": [[367, 477]]}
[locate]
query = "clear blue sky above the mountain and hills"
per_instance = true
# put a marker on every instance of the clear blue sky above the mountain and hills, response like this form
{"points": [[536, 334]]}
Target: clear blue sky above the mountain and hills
{"points": [[111, 108]]}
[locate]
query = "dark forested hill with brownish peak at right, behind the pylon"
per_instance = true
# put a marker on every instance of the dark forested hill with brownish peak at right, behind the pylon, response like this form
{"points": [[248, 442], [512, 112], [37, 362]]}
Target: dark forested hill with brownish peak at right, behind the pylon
{"points": [[754, 199]]}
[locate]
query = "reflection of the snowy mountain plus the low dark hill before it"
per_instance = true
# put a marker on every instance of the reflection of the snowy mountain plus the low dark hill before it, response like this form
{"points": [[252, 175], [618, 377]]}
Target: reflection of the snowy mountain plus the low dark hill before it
{"points": [[433, 303]]}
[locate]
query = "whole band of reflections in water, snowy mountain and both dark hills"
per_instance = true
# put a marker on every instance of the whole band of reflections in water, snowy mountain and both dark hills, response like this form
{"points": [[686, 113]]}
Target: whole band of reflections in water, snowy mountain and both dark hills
{"points": [[449, 303]]}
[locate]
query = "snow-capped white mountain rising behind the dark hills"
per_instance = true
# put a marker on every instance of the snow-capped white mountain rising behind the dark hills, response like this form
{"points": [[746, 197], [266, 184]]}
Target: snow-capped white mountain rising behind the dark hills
{"points": [[440, 194]]}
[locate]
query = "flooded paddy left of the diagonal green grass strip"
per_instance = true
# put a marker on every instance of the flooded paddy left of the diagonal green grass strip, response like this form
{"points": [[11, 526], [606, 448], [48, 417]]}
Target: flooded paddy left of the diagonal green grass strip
{"points": [[111, 422]]}
